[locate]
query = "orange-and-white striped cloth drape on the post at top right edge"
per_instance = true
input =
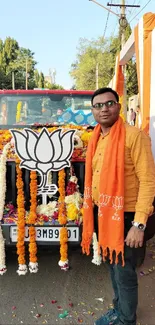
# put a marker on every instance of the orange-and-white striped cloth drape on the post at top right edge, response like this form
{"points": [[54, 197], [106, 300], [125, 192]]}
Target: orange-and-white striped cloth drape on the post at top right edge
{"points": [[143, 50]]}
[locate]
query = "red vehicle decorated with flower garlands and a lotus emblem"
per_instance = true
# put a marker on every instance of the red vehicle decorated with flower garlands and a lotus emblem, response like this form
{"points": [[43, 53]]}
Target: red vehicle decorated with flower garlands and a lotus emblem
{"points": [[34, 109]]}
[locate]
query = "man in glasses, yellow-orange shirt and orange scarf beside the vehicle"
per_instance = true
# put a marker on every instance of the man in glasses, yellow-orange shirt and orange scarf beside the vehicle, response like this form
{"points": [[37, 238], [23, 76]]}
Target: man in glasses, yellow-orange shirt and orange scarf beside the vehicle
{"points": [[119, 191]]}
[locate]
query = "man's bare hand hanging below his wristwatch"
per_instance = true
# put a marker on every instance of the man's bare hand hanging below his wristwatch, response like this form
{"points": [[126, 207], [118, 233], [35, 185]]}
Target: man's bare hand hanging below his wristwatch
{"points": [[135, 237]]}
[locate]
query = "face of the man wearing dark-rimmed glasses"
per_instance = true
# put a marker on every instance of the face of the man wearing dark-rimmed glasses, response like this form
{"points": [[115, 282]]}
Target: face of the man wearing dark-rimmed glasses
{"points": [[108, 114]]}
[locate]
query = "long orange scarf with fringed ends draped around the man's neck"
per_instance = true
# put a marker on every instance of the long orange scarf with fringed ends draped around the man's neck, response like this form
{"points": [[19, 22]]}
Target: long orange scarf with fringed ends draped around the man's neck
{"points": [[111, 195]]}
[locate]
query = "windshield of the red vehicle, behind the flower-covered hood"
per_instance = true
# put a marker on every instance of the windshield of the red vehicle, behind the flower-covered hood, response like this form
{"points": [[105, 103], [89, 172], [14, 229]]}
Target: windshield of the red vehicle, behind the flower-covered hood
{"points": [[25, 109]]}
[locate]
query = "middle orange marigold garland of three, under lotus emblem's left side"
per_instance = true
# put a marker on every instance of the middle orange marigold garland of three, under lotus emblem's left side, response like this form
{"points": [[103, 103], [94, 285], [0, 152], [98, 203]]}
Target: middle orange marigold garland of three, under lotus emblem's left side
{"points": [[33, 265]]}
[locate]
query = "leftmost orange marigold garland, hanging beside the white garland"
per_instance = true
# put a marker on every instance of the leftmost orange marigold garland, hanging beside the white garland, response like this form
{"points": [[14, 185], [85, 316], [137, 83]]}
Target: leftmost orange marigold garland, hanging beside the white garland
{"points": [[21, 222]]}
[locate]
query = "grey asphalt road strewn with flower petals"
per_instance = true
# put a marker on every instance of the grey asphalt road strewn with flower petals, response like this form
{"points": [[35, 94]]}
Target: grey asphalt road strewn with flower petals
{"points": [[40, 298]]}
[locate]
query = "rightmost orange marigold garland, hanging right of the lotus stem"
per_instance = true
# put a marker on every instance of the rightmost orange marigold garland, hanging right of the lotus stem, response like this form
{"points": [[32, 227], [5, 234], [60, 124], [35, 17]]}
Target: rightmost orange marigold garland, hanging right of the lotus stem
{"points": [[62, 218]]}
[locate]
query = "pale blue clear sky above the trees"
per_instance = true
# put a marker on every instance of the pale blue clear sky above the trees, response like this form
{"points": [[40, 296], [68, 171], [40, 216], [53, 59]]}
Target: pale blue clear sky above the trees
{"points": [[52, 28]]}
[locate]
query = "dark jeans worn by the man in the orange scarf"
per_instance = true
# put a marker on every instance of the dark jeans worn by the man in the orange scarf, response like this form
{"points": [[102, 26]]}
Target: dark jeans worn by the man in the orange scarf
{"points": [[124, 279]]}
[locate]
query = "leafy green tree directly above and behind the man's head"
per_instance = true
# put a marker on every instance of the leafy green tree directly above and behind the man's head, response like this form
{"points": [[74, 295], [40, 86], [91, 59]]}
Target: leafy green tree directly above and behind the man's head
{"points": [[91, 53]]}
